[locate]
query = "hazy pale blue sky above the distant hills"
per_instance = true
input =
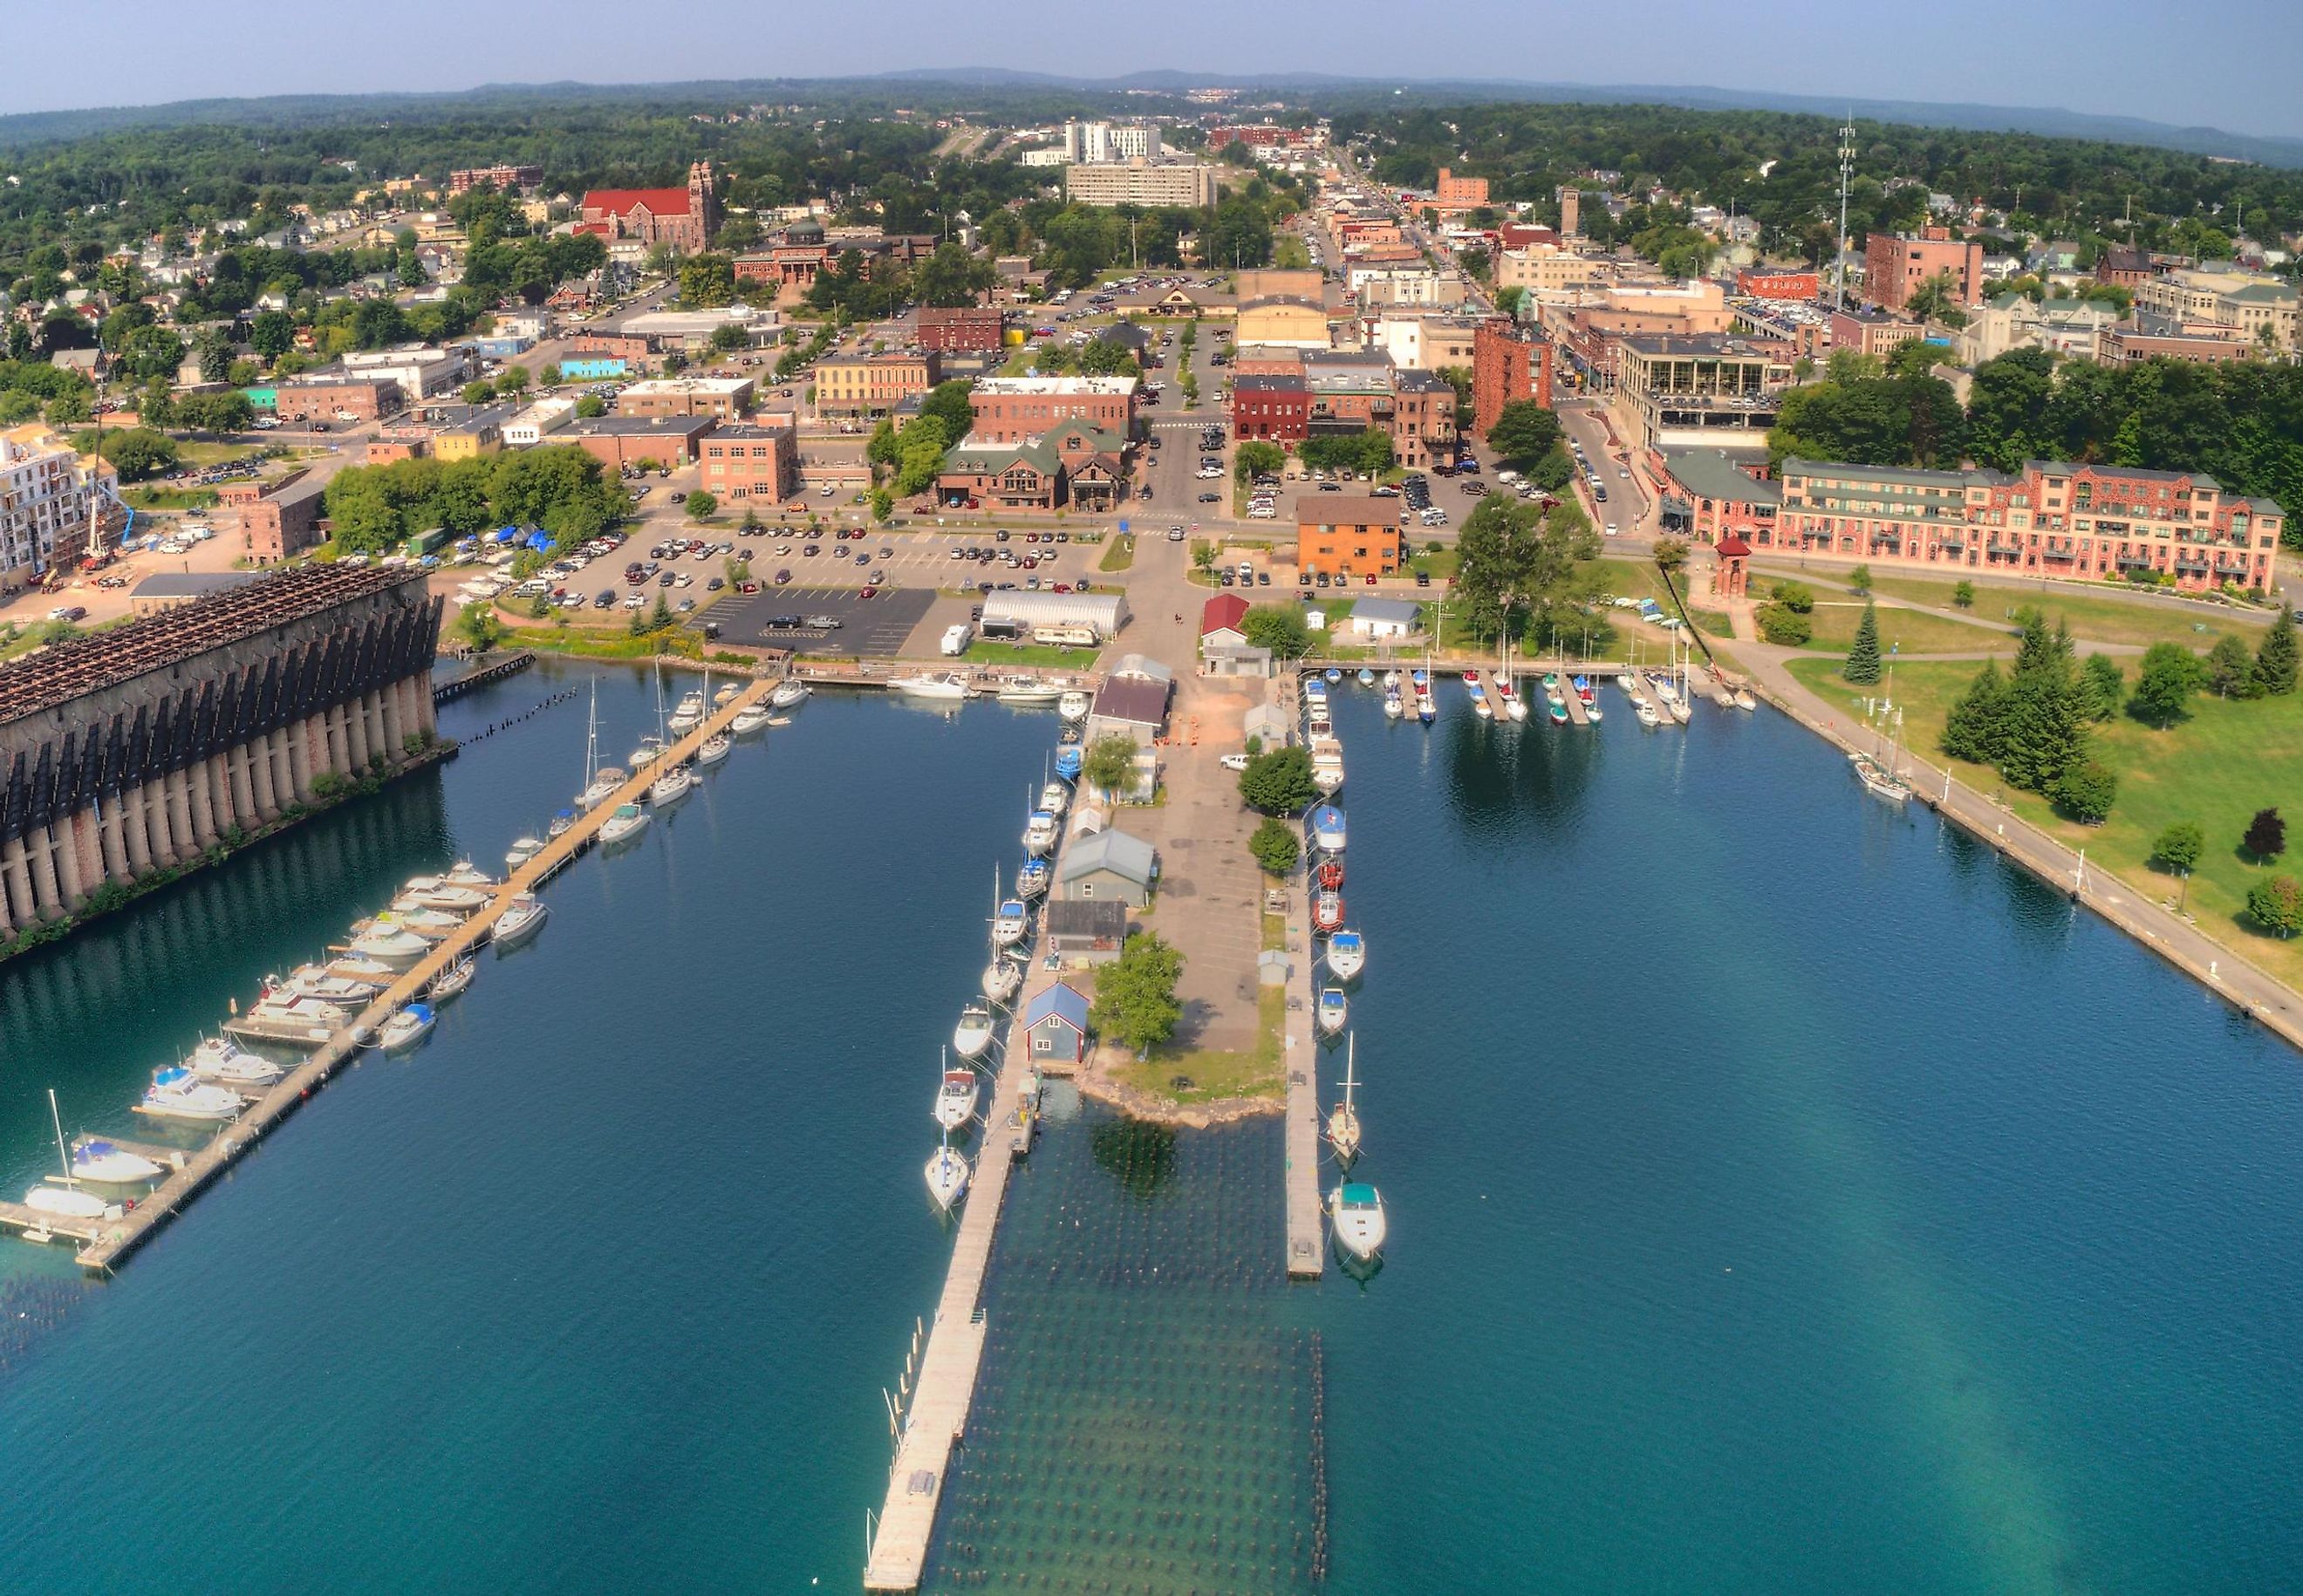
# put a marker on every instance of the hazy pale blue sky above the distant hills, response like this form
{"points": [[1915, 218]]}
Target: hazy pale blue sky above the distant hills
{"points": [[2101, 56]]}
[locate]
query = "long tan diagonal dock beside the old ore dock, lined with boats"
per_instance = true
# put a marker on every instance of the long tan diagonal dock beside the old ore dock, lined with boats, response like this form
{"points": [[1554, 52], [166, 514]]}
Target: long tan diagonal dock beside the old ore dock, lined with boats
{"points": [[107, 1242]]}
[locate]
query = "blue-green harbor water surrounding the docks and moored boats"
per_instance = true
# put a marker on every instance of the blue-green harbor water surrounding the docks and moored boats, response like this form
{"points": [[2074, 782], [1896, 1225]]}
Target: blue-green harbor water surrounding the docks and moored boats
{"points": [[1786, 1196]]}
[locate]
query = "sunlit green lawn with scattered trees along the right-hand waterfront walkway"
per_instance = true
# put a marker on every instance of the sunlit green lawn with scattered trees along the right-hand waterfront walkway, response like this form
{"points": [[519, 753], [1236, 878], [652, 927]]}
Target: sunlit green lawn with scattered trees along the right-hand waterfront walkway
{"points": [[2217, 770]]}
